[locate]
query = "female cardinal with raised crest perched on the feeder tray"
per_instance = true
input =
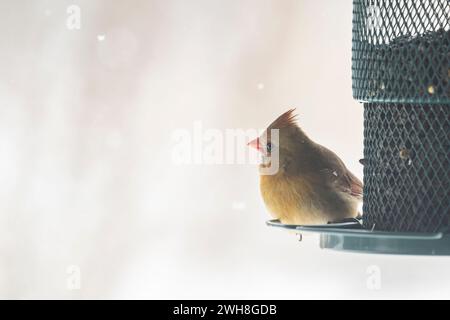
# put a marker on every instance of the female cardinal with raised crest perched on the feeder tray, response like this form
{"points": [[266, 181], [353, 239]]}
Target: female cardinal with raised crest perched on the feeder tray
{"points": [[312, 185]]}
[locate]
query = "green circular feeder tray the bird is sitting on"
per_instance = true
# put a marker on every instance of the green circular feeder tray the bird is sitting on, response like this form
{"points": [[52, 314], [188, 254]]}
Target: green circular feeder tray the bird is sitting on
{"points": [[349, 235]]}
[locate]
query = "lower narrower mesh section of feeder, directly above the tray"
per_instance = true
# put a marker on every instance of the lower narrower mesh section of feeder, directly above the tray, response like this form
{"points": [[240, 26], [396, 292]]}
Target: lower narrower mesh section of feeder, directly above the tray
{"points": [[406, 172]]}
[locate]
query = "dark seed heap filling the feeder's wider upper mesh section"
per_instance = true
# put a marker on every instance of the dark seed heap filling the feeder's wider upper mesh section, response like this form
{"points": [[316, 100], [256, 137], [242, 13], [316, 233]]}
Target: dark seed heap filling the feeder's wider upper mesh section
{"points": [[392, 71]]}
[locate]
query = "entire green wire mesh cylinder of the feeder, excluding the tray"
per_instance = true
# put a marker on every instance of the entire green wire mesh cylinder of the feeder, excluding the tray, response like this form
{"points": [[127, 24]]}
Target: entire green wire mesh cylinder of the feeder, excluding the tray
{"points": [[401, 70]]}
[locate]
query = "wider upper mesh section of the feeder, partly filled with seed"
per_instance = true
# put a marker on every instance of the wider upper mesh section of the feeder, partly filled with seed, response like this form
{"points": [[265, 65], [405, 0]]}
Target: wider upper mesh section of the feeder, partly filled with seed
{"points": [[401, 51]]}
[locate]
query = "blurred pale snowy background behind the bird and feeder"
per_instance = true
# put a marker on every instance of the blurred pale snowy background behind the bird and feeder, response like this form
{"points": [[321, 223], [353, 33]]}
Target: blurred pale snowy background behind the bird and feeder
{"points": [[87, 179]]}
